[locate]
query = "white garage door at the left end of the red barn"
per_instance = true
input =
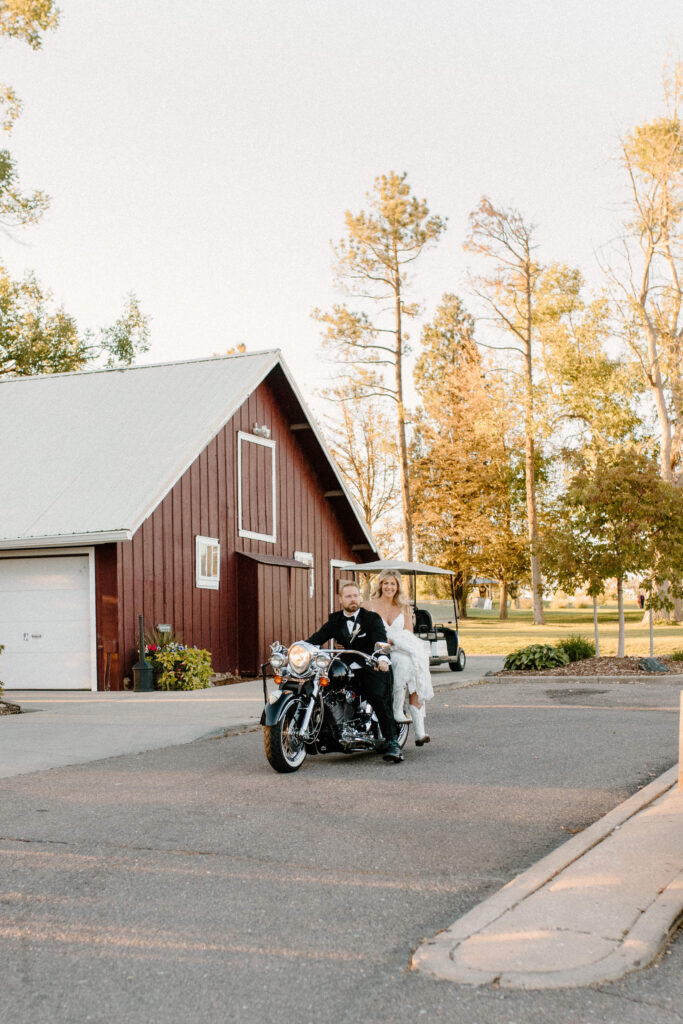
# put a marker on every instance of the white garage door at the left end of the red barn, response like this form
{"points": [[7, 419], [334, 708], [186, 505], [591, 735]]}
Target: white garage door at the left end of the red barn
{"points": [[46, 623]]}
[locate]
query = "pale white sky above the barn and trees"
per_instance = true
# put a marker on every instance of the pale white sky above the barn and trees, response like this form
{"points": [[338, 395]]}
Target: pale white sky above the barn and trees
{"points": [[202, 153]]}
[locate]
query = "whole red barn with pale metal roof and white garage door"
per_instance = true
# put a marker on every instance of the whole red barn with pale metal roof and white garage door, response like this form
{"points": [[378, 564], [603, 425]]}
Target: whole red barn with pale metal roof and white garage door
{"points": [[200, 495]]}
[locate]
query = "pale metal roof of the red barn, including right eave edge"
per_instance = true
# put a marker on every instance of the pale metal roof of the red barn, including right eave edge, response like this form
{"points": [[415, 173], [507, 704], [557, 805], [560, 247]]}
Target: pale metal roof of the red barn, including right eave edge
{"points": [[87, 457]]}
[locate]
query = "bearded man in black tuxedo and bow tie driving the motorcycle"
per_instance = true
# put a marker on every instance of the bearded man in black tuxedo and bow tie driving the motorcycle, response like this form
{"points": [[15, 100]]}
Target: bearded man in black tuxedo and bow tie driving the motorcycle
{"points": [[360, 629]]}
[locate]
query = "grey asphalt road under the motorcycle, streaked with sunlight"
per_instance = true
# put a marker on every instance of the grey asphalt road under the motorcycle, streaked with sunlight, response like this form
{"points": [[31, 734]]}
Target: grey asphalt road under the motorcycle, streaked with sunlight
{"points": [[194, 884]]}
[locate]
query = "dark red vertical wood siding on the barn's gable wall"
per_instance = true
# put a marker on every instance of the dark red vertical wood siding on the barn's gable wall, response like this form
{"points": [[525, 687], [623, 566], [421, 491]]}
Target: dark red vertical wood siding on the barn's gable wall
{"points": [[155, 572]]}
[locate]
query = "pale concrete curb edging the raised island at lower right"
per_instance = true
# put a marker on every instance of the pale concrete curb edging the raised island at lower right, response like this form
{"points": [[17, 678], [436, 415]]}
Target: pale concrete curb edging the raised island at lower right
{"points": [[637, 947]]}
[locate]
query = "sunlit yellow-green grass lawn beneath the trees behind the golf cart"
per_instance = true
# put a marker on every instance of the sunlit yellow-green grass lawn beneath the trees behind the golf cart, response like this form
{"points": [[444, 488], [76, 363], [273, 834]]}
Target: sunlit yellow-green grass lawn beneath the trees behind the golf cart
{"points": [[484, 633]]}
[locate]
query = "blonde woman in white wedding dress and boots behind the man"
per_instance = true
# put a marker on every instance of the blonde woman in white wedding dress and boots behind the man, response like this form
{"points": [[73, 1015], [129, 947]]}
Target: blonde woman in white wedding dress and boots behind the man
{"points": [[410, 657]]}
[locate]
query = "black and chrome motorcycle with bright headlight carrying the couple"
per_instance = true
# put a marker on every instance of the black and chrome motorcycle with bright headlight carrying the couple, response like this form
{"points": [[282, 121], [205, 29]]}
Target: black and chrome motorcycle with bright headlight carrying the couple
{"points": [[315, 709]]}
